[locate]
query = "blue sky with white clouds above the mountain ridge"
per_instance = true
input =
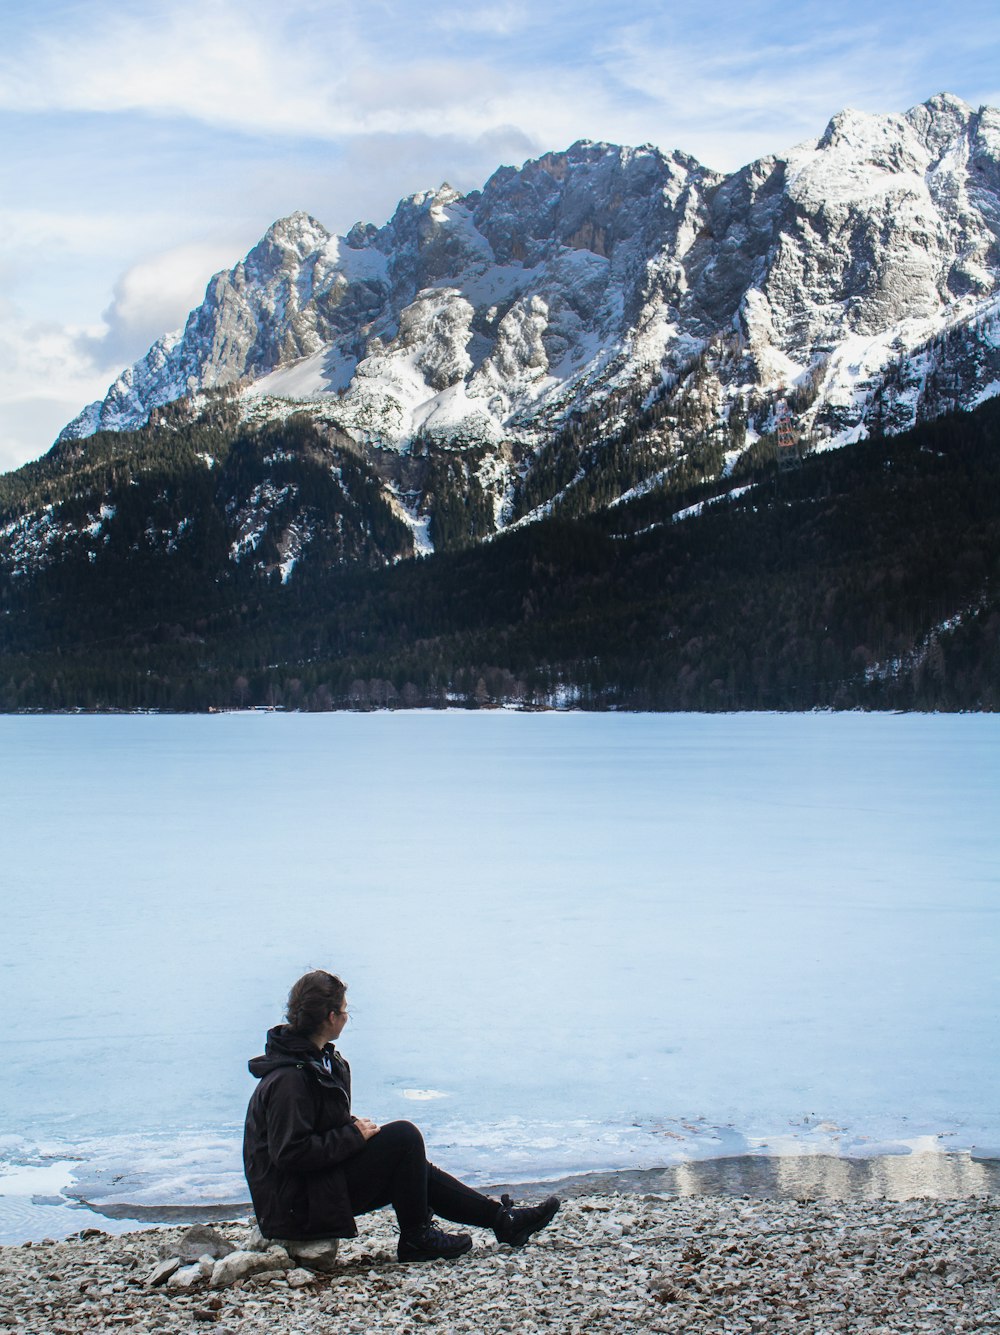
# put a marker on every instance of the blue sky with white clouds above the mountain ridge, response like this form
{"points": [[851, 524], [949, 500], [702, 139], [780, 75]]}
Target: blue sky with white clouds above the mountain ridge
{"points": [[148, 146]]}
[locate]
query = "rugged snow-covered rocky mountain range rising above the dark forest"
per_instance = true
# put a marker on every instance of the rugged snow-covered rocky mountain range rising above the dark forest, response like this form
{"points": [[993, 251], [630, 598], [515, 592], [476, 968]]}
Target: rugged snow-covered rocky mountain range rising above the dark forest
{"points": [[855, 278]]}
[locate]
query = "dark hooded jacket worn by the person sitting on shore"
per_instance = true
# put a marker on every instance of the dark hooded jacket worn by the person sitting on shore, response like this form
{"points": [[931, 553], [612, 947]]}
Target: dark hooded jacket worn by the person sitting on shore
{"points": [[297, 1134]]}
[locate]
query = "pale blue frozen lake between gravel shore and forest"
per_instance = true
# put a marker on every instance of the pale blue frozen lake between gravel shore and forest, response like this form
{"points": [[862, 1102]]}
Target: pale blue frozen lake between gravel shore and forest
{"points": [[572, 941]]}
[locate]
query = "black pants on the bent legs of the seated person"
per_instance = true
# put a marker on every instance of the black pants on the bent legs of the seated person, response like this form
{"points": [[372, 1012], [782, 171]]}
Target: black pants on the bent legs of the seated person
{"points": [[393, 1170]]}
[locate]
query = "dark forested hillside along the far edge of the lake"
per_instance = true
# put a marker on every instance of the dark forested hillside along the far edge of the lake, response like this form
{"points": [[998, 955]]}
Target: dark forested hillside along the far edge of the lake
{"points": [[863, 577]]}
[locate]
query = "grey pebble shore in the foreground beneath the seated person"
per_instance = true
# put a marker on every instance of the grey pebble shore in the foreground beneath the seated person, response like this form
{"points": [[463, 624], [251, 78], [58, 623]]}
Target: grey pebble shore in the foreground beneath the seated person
{"points": [[608, 1264]]}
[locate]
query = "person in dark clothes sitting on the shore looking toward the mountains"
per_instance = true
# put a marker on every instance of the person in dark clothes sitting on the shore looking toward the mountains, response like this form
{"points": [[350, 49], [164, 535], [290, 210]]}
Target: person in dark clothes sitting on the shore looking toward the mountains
{"points": [[313, 1166]]}
